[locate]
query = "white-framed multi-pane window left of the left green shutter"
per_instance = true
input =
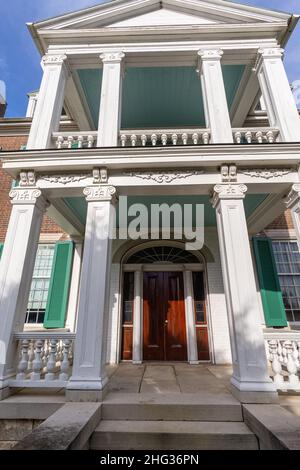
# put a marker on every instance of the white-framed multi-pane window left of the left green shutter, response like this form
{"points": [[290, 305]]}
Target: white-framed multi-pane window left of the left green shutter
{"points": [[40, 284]]}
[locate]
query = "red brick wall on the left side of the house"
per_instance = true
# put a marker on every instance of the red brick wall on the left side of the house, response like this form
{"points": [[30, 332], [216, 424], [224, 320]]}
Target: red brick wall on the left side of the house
{"points": [[15, 143]]}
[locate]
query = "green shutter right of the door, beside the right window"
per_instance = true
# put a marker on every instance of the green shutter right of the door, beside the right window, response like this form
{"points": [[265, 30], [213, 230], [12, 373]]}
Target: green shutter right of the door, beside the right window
{"points": [[269, 283]]}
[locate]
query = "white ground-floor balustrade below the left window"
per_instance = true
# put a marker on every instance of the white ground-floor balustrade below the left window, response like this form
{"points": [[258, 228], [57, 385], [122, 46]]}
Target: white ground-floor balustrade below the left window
{"points": [[44, 359]]}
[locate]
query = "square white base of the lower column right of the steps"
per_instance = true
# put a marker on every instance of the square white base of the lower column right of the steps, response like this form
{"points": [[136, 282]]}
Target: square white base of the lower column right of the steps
{"points": [[254, 392]]}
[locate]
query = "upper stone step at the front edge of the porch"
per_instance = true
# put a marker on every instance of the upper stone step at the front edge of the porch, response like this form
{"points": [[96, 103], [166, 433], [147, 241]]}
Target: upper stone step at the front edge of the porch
{"points": [[173, 407]]}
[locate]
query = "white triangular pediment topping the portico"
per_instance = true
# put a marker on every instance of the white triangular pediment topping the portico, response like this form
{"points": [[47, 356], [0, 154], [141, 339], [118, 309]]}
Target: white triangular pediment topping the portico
{"points": [[139, 13]]}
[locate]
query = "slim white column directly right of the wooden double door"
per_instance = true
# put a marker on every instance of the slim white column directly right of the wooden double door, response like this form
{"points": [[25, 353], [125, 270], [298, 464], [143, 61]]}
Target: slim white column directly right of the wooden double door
{"points": [[190, 318]]}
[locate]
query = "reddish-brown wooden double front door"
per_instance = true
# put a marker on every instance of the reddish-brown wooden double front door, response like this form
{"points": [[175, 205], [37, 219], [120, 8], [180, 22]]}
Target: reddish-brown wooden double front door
{"points": [[164, 329]]}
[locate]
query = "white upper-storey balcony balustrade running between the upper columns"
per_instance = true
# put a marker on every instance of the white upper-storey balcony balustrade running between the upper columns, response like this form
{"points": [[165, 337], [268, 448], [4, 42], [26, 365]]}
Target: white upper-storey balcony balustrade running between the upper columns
{"points": [[165, 137]]}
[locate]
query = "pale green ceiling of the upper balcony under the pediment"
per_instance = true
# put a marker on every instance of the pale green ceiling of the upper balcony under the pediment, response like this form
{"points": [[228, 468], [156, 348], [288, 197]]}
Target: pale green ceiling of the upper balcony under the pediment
{"points": [[159, 96]]}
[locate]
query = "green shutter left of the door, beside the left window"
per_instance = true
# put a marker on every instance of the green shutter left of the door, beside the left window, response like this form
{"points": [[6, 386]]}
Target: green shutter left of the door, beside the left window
{"points": [[59, 286]]}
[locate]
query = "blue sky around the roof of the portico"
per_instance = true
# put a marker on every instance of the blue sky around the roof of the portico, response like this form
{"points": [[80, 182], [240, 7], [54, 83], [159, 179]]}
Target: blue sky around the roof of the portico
{"points": [[20, 61]]}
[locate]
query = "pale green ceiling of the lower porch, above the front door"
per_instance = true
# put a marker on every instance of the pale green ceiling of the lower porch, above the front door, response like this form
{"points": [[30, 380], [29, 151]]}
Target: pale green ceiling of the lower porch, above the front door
{"points": [[252, 201]]}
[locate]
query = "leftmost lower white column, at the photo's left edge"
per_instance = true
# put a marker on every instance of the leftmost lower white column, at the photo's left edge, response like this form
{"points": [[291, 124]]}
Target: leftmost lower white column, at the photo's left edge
{"points": [[16, 269]]}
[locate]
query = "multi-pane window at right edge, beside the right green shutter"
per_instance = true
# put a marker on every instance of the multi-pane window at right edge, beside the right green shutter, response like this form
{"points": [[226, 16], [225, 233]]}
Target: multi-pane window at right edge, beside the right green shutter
{"points": [[287, 257]]}
